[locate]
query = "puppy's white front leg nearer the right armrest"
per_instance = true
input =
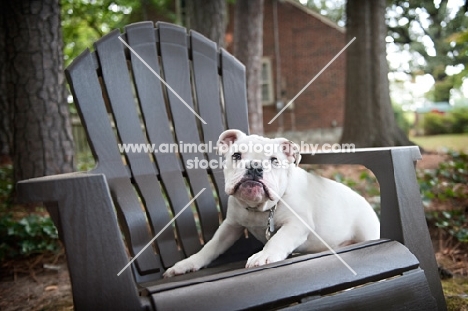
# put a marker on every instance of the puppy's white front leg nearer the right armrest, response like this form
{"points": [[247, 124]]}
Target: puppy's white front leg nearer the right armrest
{"points": [[281, 245]]}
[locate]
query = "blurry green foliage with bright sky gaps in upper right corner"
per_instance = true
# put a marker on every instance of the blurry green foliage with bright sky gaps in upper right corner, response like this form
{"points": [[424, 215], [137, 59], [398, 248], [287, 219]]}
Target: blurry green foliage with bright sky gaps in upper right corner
{"points": [[430, 30]]}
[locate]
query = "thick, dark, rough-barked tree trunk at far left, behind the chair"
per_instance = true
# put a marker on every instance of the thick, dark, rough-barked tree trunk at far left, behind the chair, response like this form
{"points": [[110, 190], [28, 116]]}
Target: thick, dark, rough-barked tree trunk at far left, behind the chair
{"points": [[36, 93]]}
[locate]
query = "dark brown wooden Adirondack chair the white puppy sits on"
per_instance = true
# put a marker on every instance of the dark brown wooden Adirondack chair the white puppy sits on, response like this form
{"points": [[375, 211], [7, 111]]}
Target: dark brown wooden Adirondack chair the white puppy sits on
{"points": [[105, 217]]}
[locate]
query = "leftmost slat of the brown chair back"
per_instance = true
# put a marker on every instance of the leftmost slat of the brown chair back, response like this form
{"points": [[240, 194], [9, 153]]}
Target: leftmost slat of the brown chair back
{"points": [[88, 96]]}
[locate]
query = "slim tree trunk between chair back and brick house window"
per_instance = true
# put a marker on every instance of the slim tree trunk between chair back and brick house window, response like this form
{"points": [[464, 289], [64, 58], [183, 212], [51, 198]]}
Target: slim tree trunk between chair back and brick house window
{"points": [[248, 48]]}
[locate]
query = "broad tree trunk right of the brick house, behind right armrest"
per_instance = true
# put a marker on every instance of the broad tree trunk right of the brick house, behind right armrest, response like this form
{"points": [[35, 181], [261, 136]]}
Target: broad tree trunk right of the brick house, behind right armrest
{"points": [[369, 119]]}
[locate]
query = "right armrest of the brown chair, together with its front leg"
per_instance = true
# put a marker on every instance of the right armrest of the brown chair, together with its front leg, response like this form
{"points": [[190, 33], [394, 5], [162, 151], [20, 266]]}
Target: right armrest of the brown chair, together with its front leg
{"points": [[402, 212]]}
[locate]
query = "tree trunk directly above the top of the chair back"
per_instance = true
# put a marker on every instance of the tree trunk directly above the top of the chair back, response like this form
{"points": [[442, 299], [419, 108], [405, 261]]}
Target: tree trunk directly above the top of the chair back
{"points": [[208, 17]]}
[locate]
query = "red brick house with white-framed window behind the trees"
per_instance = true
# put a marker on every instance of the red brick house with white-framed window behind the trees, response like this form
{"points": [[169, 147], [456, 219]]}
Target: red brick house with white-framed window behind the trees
{"points": [[306, 42]]}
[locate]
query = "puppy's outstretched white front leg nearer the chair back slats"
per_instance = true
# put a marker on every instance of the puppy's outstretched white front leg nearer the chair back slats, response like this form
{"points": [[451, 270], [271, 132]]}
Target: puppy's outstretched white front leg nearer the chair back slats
{"points": [[223, 238]]}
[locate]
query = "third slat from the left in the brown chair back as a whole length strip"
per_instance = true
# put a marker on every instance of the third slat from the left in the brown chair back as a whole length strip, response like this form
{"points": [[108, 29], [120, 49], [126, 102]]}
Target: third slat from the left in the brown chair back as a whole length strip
{"points": [[149, 91]]}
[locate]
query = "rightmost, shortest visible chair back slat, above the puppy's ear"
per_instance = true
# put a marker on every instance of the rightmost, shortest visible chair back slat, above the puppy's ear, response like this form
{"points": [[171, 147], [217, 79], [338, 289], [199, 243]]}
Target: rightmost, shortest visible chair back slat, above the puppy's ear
{"points": [[235, 96]]}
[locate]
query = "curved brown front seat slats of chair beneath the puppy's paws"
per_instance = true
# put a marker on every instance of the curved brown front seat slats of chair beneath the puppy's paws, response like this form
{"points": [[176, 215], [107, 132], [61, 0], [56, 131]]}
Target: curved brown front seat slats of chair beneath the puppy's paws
{"points": [[287, 281]]}
